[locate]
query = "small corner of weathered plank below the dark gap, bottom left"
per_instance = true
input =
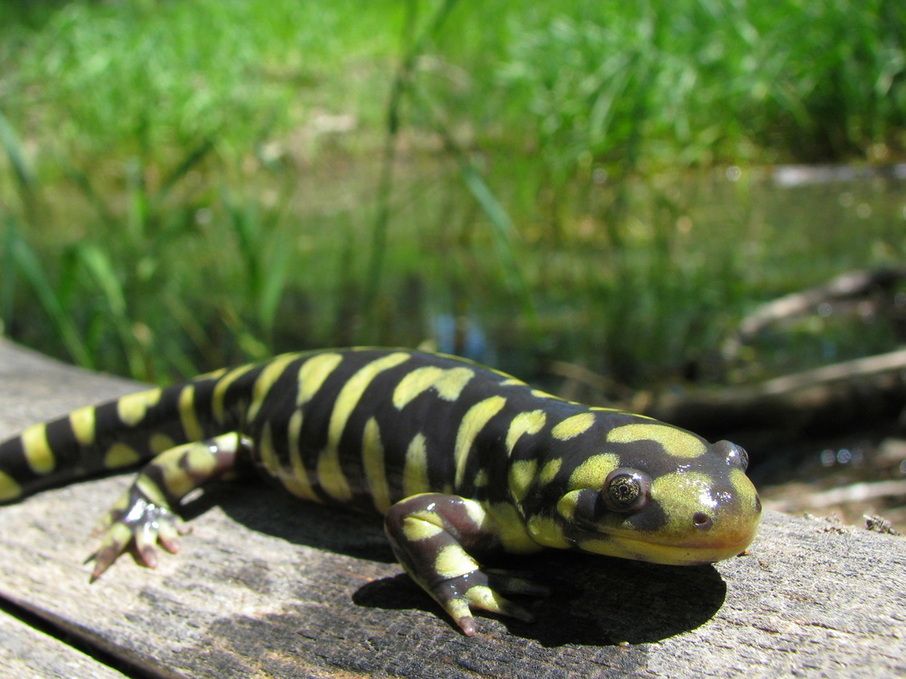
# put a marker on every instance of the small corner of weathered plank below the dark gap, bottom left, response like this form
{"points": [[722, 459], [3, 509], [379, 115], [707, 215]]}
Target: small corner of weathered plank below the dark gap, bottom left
{"points": [[26, 652]]}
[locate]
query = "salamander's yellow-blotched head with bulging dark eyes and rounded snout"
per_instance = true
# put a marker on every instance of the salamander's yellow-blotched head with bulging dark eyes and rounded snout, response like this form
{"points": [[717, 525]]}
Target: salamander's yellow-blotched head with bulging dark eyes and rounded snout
{"points": [[657, 493]]}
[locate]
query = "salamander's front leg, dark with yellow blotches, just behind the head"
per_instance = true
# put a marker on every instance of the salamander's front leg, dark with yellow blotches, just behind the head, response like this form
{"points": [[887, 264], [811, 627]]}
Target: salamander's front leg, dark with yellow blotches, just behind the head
{"points": [[431, 535]]}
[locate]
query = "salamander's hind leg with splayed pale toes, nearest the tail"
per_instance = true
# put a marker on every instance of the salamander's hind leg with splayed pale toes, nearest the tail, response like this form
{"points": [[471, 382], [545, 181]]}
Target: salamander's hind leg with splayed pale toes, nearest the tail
{"points": [[144, 516]]}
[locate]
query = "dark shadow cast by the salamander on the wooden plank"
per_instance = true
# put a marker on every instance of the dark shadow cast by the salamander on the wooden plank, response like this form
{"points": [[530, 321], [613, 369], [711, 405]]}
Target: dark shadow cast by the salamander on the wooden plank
{"points": [[588, 605]]}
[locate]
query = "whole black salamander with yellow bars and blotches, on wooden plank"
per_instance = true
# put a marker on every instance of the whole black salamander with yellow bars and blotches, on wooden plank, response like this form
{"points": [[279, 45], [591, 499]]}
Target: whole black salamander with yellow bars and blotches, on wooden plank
{"points": [[461, 460]]}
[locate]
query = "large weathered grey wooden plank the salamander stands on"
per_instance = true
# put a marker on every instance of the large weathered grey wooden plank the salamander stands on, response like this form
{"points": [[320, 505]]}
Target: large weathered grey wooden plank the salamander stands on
{"points": [[269, 586]]}
